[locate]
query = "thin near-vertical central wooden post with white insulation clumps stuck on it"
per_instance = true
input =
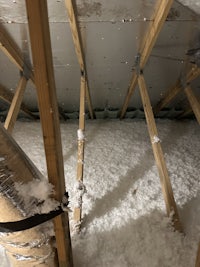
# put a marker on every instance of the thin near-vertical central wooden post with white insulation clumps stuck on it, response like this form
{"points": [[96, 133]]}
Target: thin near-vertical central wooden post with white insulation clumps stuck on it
{"points": [[80, 158]]}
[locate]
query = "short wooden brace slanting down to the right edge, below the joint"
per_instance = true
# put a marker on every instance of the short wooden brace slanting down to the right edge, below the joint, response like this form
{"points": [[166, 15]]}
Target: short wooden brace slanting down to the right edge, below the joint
{"points": [[194, 102]]}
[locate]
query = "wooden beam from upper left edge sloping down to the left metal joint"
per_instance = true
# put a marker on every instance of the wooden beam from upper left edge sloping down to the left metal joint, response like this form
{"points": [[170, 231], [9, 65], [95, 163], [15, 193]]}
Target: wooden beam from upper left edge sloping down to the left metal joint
{"points": [[8, 46]]}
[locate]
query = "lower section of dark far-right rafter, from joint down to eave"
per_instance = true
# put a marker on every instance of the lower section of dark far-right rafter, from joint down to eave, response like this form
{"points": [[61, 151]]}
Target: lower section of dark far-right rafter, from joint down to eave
{"points": [[169, 96]]}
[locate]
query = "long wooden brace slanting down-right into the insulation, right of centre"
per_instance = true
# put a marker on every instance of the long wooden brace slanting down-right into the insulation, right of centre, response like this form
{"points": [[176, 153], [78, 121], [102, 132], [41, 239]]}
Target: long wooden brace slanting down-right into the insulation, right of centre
{"points": [[159, 157]]}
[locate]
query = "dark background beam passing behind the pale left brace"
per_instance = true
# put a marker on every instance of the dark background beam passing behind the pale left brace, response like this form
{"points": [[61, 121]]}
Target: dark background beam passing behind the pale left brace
{"points": [[8, 96]]}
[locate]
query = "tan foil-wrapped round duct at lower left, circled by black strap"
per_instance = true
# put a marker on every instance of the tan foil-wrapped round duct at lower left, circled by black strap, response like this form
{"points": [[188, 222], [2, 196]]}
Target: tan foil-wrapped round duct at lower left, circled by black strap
{"points": [[30, 247]]}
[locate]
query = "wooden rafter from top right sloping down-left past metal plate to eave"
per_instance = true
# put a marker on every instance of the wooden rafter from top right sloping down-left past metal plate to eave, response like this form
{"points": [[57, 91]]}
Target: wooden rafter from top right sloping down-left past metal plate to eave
{"points": [[161, 11]]}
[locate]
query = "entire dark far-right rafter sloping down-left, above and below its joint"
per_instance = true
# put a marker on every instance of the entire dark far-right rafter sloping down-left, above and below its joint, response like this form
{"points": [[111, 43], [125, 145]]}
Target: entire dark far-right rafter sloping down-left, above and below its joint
{"points": [[173, 91]]}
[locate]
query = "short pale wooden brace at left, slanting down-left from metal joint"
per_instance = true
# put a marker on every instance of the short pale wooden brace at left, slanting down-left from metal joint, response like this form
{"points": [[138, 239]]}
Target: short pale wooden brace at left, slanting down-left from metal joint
{"points": [[15, 105]]}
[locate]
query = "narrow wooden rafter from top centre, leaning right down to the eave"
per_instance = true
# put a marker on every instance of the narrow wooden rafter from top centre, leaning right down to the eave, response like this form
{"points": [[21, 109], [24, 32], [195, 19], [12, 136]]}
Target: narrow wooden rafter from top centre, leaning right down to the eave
{"points": [[79, 49]]}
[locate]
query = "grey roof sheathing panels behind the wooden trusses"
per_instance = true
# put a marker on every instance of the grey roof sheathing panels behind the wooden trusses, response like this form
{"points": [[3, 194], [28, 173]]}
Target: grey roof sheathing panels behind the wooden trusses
{"points": [[111, 32]]}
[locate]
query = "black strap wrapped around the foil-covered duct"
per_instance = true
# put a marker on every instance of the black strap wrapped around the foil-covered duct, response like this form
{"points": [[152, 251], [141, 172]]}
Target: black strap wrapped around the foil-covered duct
{"points": [[37, 219]]}
